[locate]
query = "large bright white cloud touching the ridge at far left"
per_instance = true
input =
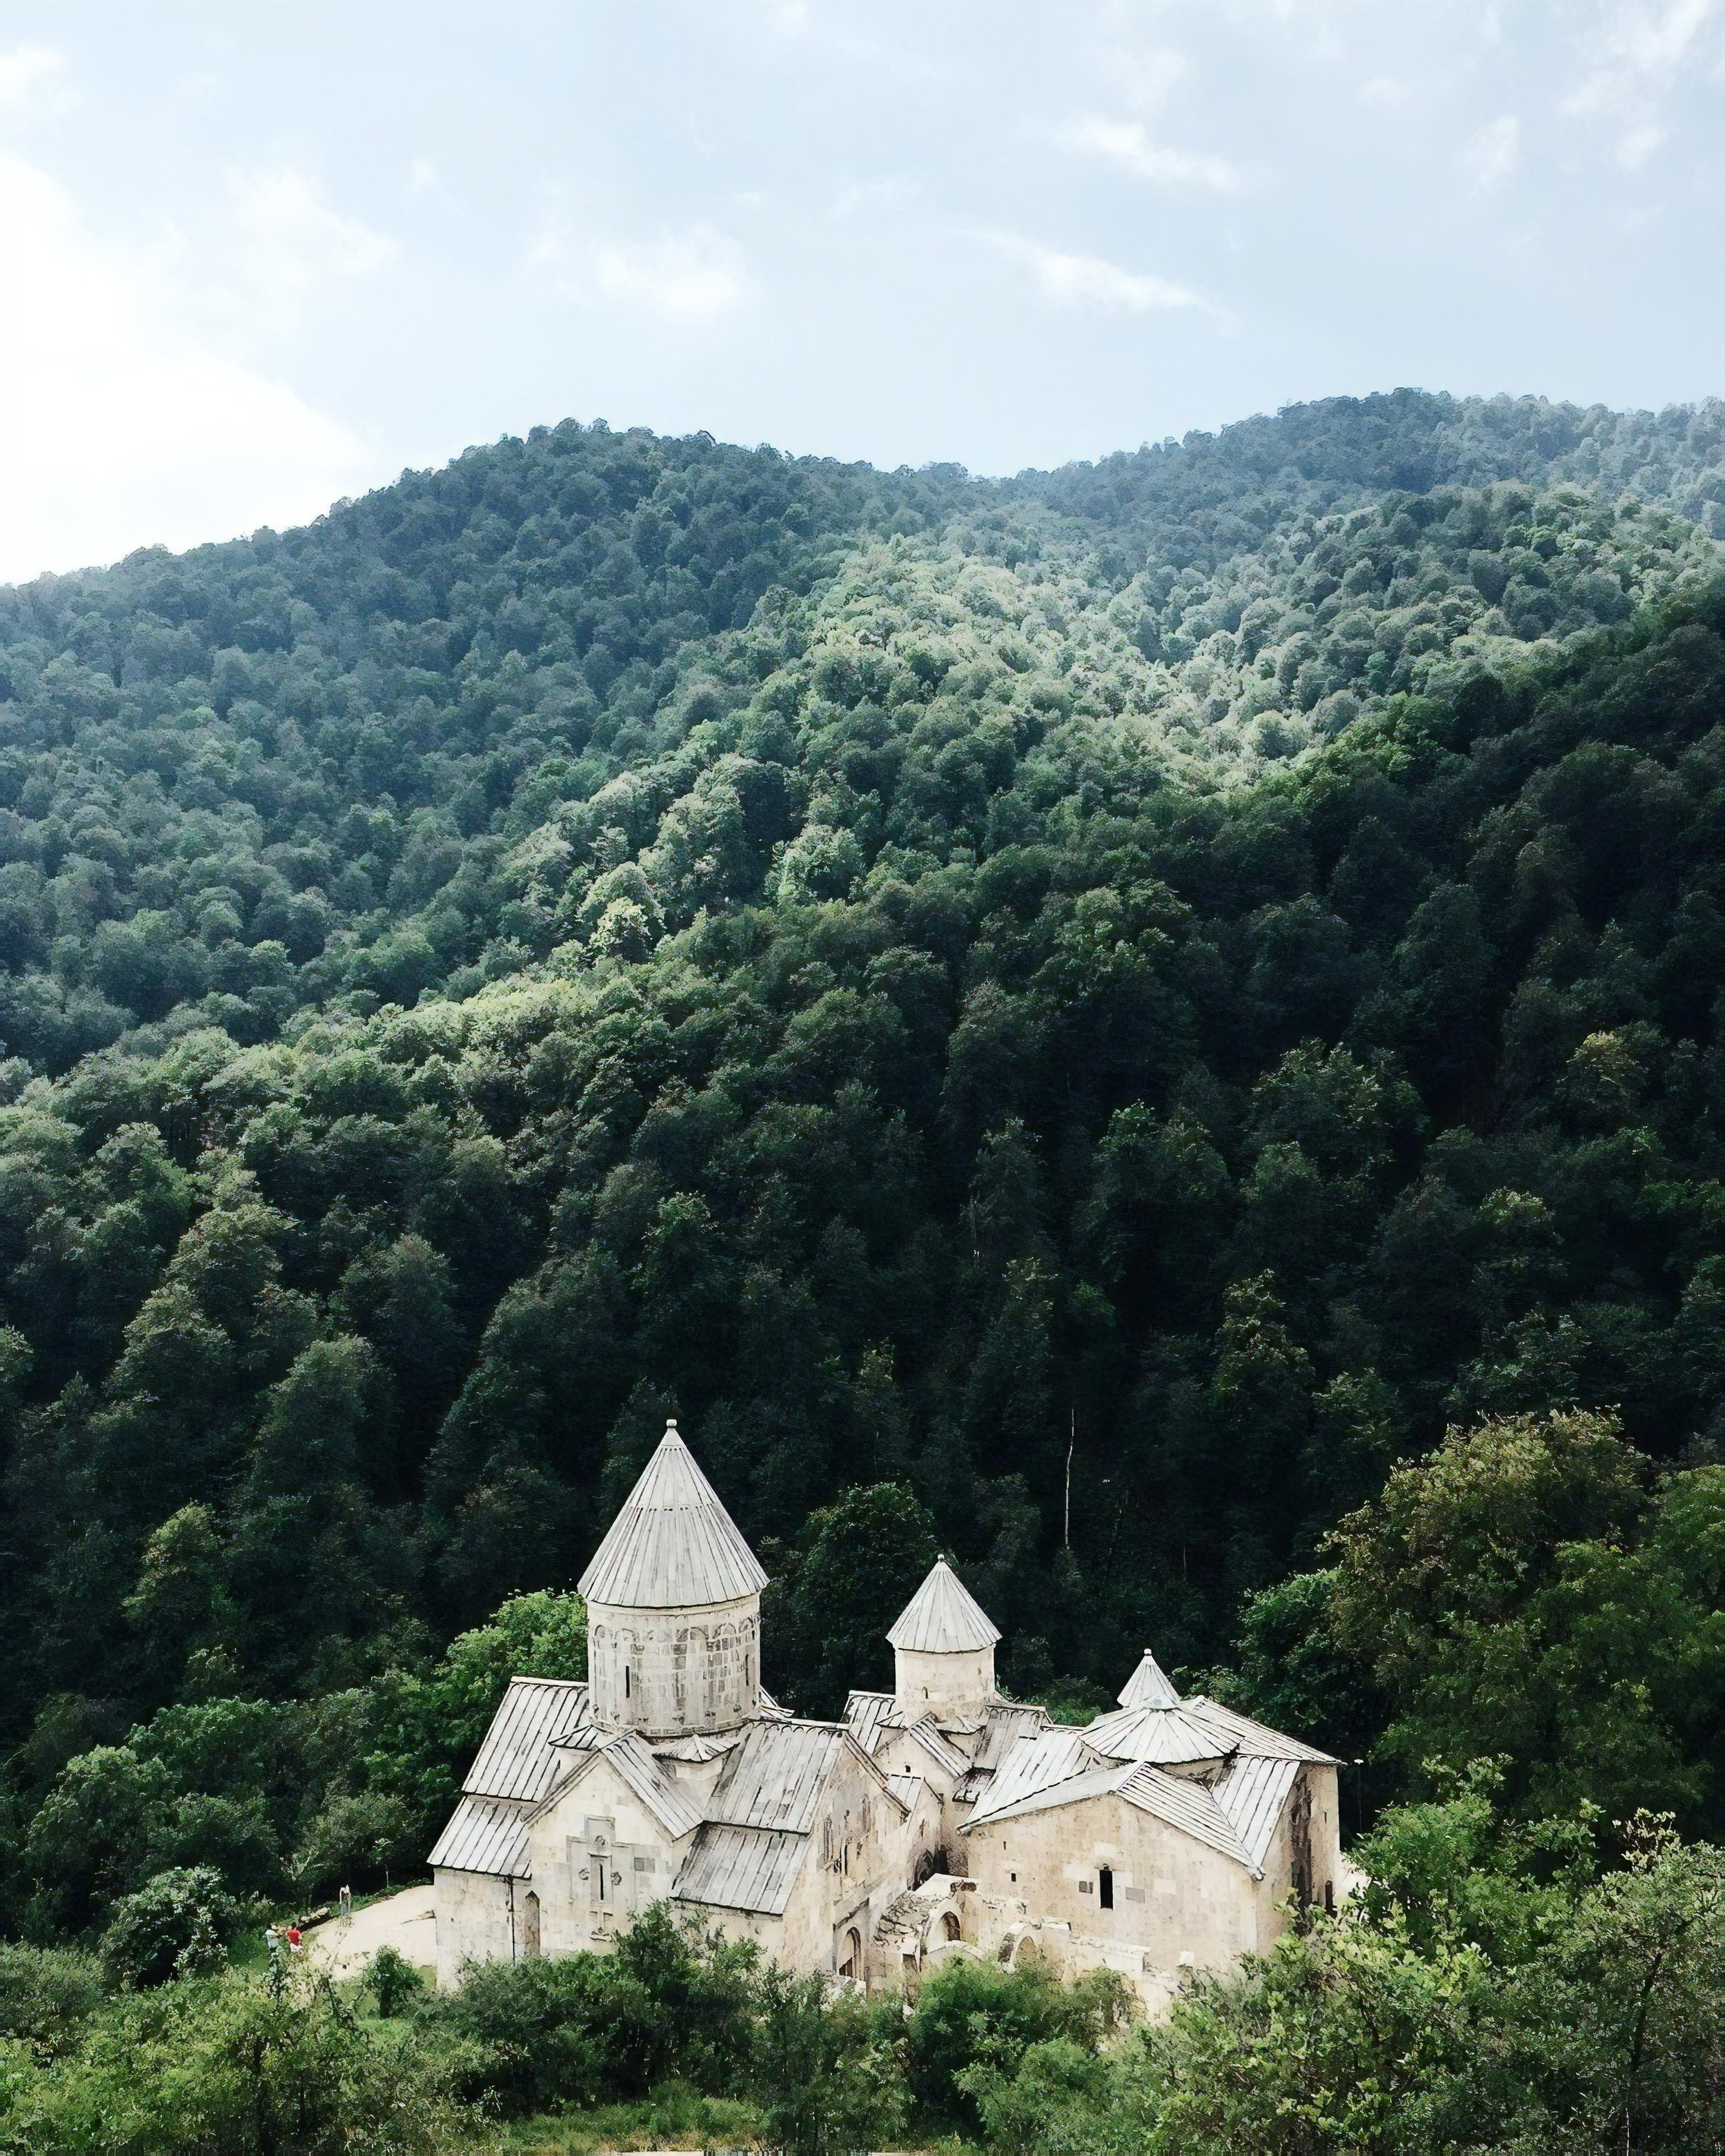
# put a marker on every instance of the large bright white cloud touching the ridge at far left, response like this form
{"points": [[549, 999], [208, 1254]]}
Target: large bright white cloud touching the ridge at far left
{"points": [[118, 426]]}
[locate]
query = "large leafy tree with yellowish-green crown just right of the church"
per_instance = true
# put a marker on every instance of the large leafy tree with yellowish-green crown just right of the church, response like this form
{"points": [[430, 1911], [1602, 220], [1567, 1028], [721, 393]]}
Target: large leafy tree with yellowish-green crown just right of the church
{"points": [[1519, 1592]]}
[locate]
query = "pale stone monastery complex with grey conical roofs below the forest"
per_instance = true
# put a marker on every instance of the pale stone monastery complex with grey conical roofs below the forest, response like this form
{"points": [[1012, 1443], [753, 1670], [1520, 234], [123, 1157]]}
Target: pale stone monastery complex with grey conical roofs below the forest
{"points": [[935, 1819]]}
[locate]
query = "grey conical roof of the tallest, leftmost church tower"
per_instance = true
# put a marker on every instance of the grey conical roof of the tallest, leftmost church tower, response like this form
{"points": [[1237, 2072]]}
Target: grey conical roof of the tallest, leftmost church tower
{"points": [[674, 1545]]}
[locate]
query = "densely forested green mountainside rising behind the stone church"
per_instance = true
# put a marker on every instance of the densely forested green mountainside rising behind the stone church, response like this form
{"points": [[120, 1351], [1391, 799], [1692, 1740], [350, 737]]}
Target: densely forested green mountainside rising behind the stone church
{"points": [[1081, 1021]]}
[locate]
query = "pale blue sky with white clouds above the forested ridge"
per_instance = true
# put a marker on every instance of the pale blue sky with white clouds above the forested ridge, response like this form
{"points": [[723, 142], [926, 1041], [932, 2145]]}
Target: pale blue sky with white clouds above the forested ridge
{"points": [[264, 253]]}
